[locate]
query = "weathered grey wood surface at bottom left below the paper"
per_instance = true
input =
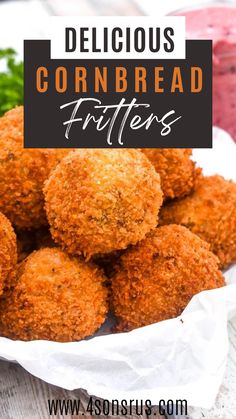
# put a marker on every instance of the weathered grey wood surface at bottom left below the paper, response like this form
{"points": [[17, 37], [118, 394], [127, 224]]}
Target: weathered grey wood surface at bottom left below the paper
{"points": [[23, 396]]}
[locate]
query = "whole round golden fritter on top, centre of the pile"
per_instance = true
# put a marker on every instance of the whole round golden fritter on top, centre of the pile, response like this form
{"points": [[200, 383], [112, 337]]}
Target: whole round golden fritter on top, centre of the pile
{"points": [[98, 201]]}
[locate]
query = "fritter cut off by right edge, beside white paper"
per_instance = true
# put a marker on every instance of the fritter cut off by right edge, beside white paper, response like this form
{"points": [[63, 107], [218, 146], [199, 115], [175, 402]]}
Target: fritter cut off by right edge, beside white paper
{"points": [[209, 212]]}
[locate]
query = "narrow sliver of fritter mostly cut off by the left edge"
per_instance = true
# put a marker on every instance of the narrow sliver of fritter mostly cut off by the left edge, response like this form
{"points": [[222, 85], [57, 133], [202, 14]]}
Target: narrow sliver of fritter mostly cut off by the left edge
{"points": [[8, 253]]}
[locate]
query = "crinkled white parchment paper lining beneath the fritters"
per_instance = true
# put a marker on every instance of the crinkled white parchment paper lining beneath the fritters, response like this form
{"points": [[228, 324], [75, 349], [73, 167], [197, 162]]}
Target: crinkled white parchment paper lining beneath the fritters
{"points": [[181, 358]]}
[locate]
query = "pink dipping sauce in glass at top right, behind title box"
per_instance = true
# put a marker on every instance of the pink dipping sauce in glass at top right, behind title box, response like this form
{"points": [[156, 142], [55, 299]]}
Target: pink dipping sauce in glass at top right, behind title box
{"points": [[218, 22]]}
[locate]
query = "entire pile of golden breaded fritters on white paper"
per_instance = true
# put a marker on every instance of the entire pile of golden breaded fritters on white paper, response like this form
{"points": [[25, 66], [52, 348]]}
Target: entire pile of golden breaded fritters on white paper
{"points": [[135, 231]]}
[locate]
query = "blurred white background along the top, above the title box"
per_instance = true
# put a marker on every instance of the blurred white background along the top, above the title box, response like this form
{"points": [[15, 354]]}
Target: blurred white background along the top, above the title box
{"points": [[20, 19]]}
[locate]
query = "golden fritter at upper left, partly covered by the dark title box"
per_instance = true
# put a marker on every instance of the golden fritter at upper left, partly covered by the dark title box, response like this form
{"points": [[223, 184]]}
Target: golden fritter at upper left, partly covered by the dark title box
{"points": [[22, 173]]}
